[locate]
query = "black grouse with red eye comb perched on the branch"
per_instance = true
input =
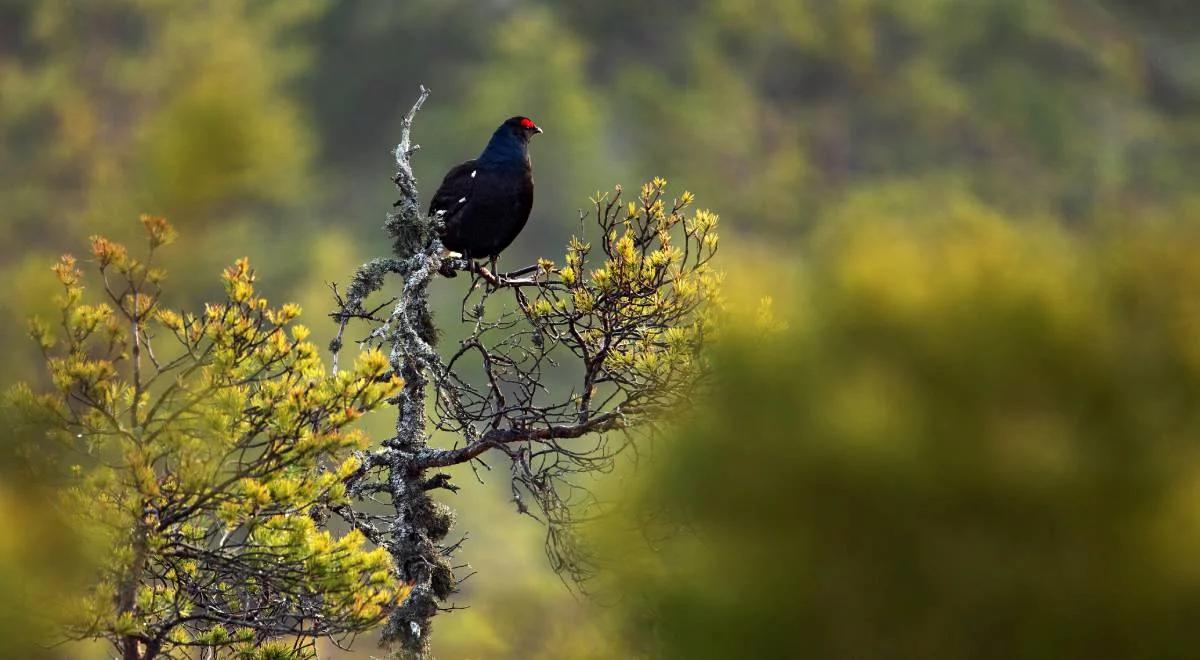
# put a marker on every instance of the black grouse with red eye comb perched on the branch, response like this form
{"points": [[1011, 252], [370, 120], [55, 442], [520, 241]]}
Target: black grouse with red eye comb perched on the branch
{"points": [[485, 202]]}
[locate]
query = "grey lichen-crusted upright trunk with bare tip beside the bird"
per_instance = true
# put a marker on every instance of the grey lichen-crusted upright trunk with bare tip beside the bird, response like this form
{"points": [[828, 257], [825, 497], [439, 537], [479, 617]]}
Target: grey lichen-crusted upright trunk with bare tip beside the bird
{"points": [[418, 524]]}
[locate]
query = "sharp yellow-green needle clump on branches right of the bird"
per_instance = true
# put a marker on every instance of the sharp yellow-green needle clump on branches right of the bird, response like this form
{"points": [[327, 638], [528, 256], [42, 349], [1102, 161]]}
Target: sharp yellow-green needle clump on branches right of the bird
{"points": [[644, 309]]}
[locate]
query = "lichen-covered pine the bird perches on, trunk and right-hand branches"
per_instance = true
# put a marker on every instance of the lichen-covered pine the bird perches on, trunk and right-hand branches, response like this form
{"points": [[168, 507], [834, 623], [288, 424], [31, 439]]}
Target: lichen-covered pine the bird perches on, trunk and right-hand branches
{"points": [[562, 369]]}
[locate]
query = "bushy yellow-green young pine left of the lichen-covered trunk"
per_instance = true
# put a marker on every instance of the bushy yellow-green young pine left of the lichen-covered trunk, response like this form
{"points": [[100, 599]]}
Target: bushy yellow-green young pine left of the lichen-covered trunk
{"points": [[207, 445]]}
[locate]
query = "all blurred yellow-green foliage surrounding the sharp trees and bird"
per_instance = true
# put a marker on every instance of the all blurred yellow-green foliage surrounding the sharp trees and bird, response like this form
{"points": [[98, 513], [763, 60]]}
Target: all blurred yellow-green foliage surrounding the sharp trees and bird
{"points": [[971, 427]]}
